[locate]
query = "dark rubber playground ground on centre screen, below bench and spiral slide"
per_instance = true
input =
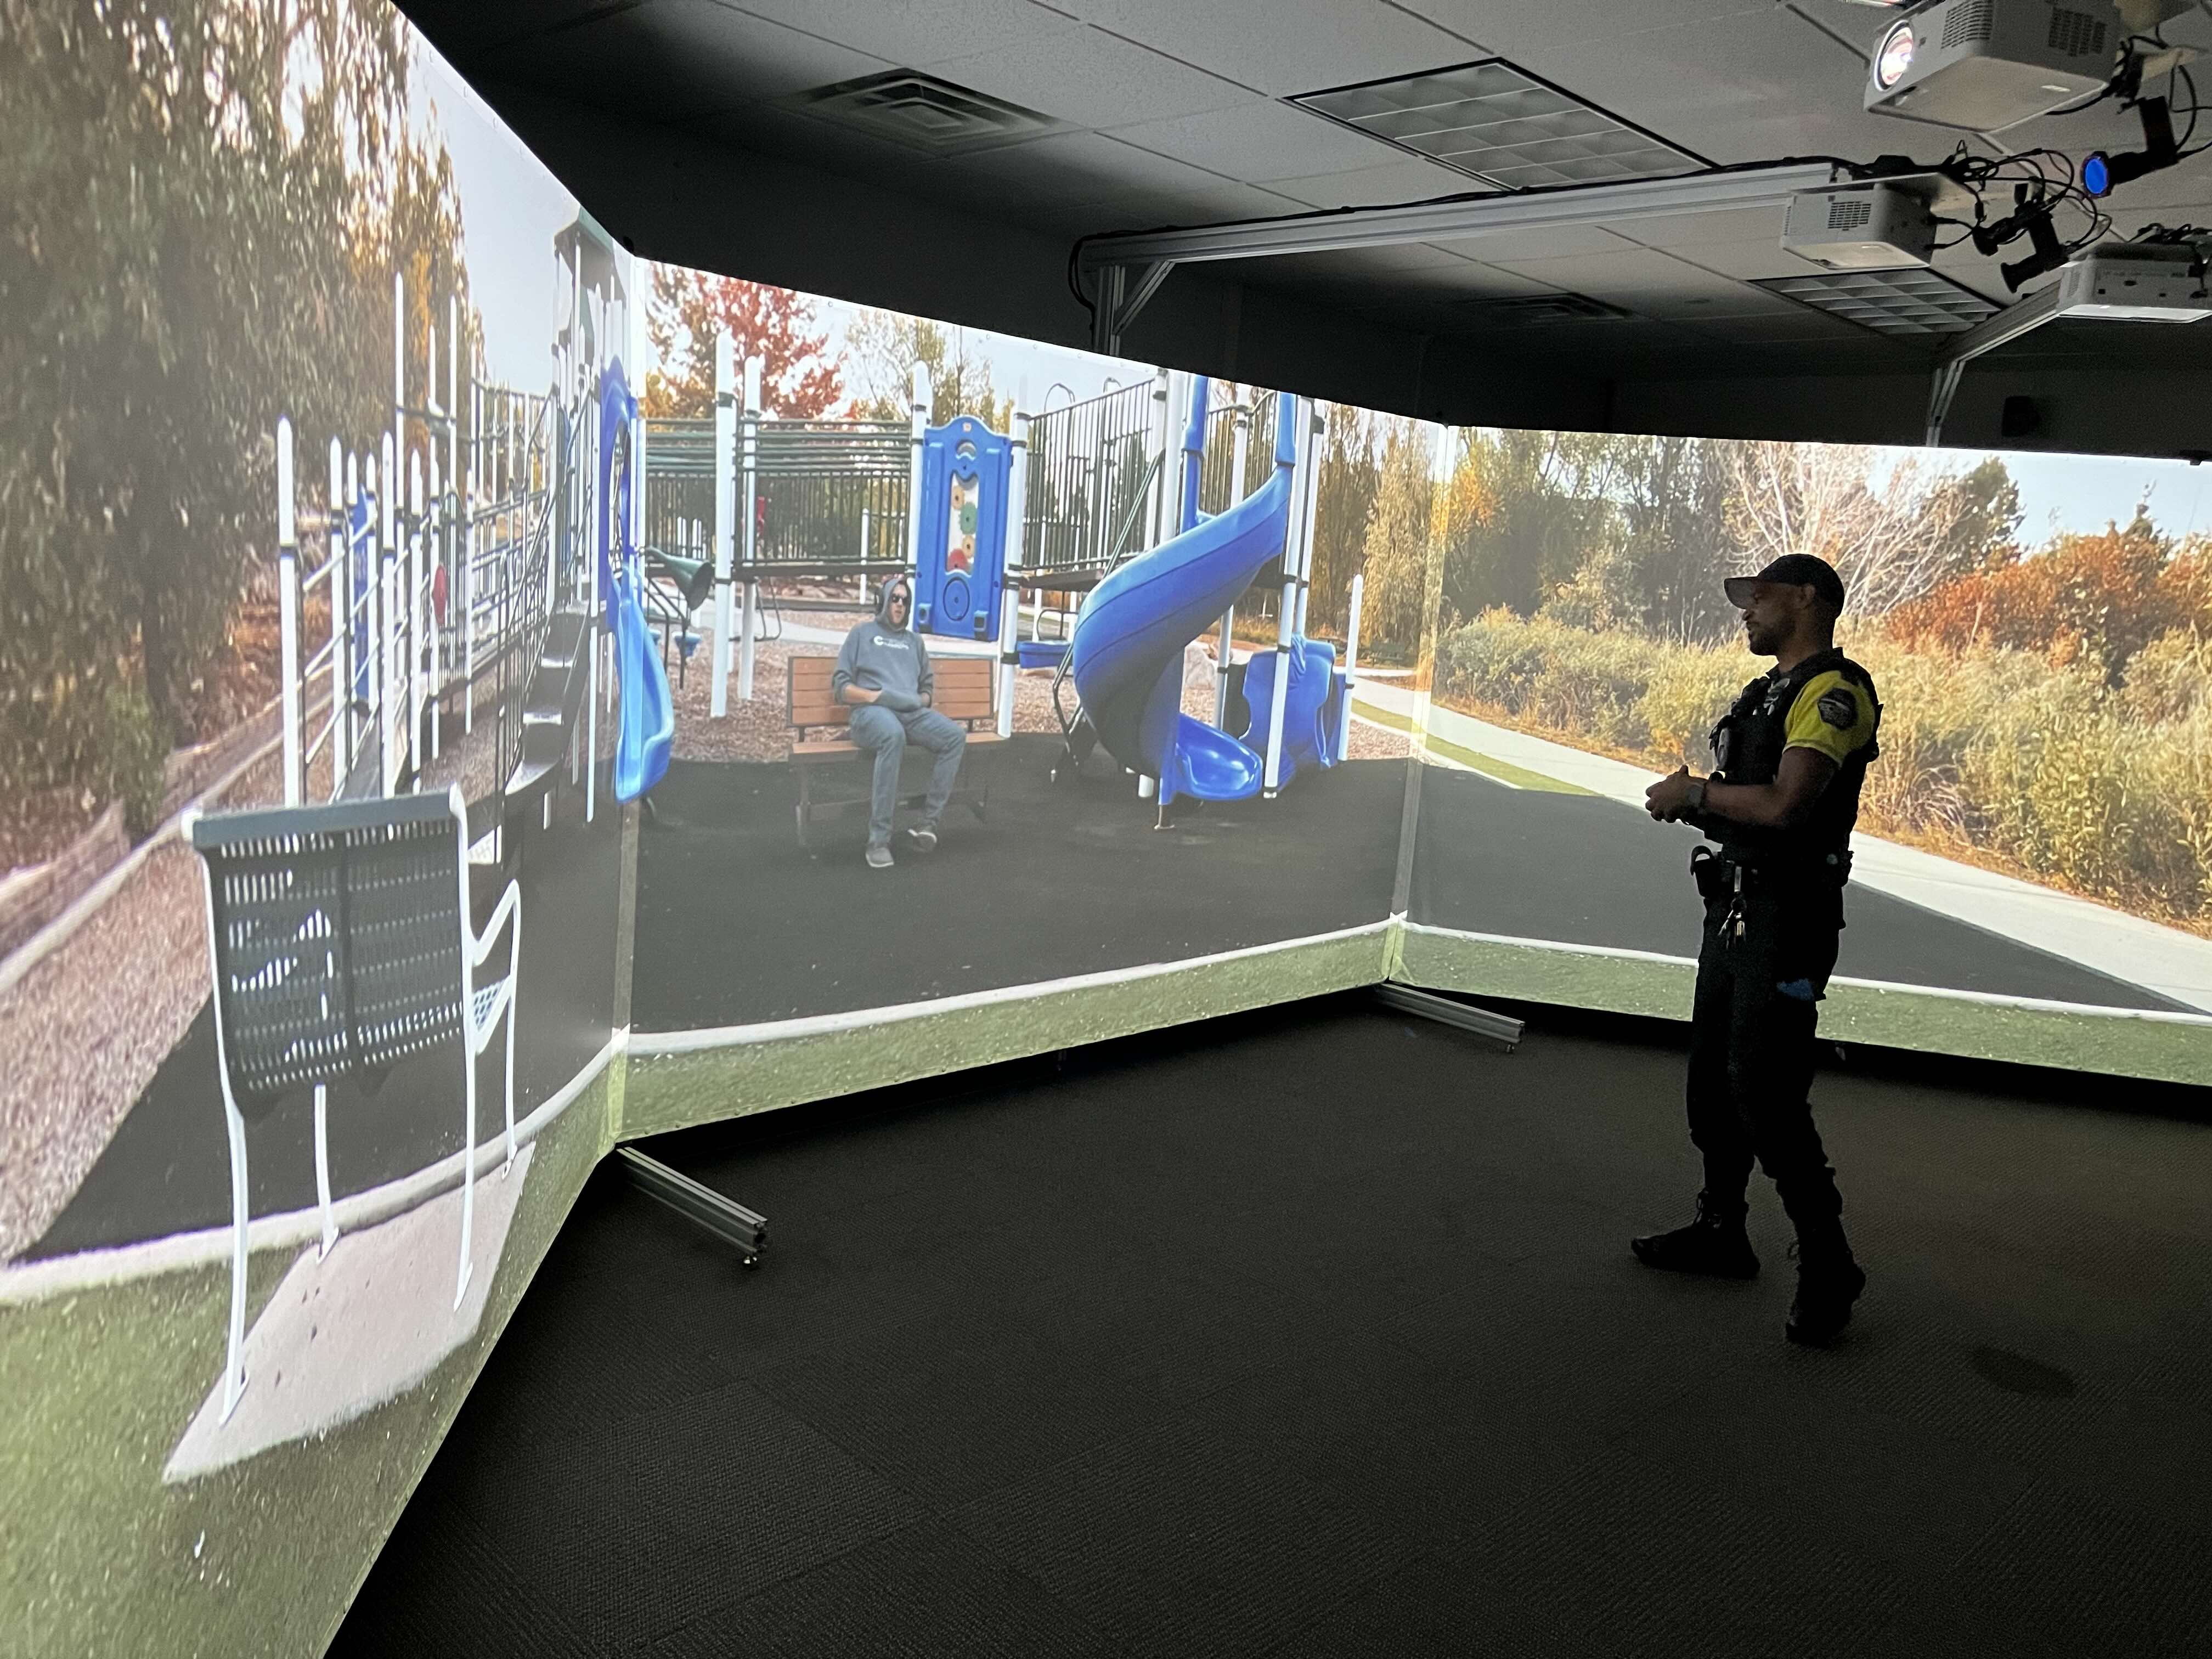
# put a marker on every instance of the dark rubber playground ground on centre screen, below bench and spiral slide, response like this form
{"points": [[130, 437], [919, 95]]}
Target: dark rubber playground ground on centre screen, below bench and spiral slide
{"points": [[738, 924]]}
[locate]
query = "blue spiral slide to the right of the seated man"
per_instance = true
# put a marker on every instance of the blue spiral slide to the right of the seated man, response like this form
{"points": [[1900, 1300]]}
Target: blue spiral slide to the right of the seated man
{"points": [[1131, 638]]}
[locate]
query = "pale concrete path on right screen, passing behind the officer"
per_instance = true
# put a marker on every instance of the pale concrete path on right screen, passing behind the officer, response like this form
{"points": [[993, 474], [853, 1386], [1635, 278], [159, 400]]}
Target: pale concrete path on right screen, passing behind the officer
{"points": [[2160, 959]]}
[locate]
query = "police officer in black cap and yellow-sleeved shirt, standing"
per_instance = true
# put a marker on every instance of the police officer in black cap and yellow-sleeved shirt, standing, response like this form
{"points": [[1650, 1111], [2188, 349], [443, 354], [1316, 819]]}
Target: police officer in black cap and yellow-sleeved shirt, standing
{"points": [[1780, 806]]}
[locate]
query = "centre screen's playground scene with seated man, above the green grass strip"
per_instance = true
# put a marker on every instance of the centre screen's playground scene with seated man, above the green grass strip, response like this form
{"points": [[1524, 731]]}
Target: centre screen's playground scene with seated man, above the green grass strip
{"points": [[1138, 620]]}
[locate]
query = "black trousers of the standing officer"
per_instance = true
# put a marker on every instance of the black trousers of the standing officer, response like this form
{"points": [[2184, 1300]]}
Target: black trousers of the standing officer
{"points": [[1753, 1050]]}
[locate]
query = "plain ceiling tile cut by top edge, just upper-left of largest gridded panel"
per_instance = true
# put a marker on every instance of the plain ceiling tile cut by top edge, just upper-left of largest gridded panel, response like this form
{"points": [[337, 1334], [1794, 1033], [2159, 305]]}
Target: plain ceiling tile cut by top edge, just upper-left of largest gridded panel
{"points": [[1284, 45]]}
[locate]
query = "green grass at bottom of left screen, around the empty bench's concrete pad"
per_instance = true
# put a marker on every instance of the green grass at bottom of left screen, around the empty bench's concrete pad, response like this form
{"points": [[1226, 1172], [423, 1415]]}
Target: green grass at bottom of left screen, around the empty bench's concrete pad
{"points": [[255, 1558]]}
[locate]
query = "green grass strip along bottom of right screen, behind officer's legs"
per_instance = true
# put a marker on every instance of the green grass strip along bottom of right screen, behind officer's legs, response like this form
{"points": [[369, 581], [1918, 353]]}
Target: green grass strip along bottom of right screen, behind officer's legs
{"points": [[1890, 1019]]}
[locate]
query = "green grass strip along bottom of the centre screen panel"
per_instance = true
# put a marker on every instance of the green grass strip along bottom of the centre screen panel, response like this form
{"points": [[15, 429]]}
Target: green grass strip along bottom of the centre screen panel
{"points": [[755, 1076]]}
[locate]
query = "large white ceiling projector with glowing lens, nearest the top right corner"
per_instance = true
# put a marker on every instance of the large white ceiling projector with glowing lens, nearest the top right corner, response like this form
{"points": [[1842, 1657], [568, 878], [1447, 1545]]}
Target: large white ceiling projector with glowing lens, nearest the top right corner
{"points": [[1987, 65]]}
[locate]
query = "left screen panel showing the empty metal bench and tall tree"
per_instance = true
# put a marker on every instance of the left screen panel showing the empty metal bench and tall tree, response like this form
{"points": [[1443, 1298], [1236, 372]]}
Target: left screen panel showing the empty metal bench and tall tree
{"points": [[311, 811]]}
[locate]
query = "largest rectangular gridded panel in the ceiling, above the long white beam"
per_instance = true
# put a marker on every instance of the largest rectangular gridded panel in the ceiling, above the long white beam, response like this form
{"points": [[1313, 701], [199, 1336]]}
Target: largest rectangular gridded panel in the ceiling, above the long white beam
{"points": [[1503, 125]]}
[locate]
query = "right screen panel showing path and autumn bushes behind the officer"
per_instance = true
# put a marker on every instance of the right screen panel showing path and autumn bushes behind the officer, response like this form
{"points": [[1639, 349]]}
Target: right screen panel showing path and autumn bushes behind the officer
{"points": [[2032, 855]]}
